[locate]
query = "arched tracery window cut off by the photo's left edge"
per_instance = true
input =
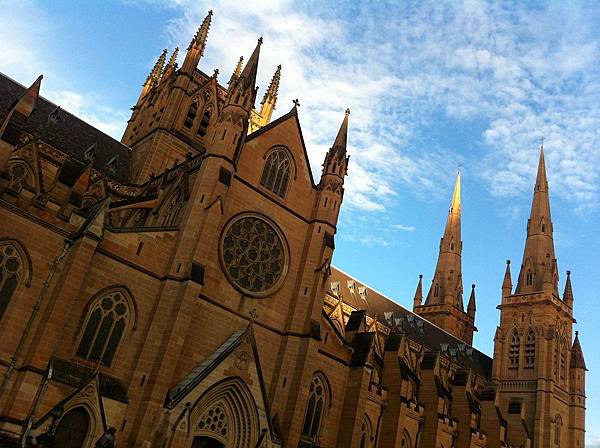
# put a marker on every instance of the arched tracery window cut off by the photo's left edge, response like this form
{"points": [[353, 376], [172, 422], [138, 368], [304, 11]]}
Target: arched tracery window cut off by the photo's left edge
{"points": [[13, 270]]}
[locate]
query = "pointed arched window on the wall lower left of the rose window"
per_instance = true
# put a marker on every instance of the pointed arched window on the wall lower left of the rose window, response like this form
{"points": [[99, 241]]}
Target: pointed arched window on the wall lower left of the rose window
{"points": [[108, 317]]}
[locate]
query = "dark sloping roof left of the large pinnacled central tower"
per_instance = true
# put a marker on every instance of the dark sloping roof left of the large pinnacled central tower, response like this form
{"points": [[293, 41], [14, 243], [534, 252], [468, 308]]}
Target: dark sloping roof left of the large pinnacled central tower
{"points": [[67, 133]]}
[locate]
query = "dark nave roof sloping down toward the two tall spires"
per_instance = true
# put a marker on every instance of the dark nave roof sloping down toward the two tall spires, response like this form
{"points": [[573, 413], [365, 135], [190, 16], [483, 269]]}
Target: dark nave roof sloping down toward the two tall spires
{"points": [[416, 328]]}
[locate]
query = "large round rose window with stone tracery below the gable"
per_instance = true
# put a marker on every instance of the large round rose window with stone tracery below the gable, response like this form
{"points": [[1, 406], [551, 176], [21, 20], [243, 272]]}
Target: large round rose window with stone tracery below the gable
{"points": [[254, 255]]}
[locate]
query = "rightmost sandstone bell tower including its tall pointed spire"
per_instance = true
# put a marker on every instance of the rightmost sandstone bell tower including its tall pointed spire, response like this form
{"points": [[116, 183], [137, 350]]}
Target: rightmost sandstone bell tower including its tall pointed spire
{"points": [[533, 343]]}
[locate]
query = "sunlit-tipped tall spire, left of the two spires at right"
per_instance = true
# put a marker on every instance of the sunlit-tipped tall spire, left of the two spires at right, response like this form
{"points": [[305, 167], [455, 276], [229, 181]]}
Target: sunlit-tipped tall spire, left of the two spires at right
{"points": [[447, 281]]}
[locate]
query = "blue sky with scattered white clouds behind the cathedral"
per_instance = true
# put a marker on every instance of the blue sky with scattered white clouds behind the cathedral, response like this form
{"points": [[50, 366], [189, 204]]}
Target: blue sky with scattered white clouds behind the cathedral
{"points": [[431, 86]]}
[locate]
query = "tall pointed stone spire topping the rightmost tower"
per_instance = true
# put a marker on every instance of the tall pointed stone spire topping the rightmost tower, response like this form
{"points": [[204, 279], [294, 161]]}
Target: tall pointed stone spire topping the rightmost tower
{"points": [[538, 270]]}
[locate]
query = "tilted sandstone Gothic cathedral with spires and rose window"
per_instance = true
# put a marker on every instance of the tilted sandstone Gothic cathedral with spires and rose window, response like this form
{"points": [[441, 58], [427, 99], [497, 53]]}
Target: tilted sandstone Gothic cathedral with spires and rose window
{"points": [[176, 290]]}
